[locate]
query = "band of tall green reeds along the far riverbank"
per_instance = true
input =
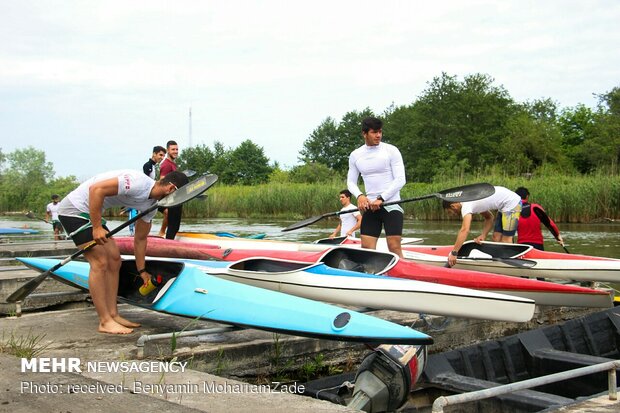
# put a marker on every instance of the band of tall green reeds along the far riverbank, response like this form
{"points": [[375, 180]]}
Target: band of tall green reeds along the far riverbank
{"points": [[566, 198]]}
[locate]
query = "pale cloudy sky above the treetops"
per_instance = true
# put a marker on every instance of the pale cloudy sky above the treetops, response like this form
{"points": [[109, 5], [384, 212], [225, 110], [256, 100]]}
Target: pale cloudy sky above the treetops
{"points": [[97, 84]]}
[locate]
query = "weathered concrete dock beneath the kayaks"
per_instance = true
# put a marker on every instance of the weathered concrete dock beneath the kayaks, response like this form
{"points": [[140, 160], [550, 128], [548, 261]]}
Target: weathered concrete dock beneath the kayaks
{"points": [[216, 363]]}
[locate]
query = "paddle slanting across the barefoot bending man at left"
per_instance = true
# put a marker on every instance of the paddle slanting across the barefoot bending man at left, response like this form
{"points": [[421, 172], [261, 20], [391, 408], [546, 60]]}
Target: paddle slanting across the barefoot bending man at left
{"points": [[178, 197]]}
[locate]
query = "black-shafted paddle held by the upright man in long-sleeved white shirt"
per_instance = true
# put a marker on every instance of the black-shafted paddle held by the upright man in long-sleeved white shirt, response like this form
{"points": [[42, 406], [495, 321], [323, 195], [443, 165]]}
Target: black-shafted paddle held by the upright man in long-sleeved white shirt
{"points": [[458, 194]]}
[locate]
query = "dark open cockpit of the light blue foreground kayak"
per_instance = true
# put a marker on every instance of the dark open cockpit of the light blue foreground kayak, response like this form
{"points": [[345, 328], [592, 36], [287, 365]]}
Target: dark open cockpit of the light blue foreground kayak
{"points": [[130, 282]]}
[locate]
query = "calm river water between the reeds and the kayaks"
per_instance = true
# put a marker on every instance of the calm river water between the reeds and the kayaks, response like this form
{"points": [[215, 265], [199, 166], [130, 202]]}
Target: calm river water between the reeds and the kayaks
{"points": [[601, 239]]}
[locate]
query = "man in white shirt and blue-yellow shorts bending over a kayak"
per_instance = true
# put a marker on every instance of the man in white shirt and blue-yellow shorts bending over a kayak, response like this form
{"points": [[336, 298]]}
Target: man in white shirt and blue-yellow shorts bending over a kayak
{"points": [[508, 205]]}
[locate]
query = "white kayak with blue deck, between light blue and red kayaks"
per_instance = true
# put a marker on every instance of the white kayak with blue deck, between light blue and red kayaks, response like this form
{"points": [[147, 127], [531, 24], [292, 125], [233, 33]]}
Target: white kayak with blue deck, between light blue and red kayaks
{"points": [[318, 281]]}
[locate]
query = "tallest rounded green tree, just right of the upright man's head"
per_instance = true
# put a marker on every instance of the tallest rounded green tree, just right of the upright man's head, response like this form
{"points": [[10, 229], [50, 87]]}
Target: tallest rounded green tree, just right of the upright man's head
{"points": [[464, 120]]}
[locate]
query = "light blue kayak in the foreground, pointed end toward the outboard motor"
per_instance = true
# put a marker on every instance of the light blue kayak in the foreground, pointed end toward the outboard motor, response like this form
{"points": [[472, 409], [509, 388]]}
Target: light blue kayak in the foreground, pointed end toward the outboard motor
{"points": [[187, 291]]}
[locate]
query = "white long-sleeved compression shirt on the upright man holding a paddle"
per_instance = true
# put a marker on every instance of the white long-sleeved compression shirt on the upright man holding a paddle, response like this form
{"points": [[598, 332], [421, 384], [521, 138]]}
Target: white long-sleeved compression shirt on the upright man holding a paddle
{"points": [[382, 170]]}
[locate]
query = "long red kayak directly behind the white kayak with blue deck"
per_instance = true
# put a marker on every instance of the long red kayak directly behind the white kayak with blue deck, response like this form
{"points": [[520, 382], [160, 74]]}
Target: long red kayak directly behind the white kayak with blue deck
{"points": [[374, 262]]}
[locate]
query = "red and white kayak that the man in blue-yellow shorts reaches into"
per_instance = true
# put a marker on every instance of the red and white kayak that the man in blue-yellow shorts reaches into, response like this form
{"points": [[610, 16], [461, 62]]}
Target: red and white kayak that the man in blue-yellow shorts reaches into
{"points": [[499, 258]]}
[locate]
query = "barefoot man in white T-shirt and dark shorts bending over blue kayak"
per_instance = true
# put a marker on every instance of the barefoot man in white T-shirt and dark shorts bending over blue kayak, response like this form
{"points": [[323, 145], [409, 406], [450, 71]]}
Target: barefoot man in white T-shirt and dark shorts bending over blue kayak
{"points": [[80, 214]]}
